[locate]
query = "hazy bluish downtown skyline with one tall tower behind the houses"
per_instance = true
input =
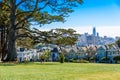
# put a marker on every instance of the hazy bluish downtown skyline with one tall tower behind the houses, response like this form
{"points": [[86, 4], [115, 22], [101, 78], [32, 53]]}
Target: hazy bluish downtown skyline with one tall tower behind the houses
{"points": [[93, 39]]}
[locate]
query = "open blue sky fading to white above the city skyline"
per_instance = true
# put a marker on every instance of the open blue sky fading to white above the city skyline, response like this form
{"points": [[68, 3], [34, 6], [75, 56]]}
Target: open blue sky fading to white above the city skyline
{"points": [[102, 14]]}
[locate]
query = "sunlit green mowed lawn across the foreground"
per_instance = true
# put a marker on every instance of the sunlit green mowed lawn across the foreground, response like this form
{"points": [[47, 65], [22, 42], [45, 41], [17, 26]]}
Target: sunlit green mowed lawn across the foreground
{"points": [[58, 71]]}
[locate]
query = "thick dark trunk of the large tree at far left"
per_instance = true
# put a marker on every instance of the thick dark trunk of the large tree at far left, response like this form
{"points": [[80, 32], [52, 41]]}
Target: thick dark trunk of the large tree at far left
{"points": [[12, 54]]}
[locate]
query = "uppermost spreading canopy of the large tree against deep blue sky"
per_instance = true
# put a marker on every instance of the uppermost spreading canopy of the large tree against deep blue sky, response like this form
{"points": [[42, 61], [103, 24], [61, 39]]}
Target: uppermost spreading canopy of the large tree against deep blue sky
{"points": [[39, 11]]}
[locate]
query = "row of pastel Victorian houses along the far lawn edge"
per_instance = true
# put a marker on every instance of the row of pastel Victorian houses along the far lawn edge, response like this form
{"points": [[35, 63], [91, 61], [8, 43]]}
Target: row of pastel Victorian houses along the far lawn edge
{"points": [[98, 54]]}
